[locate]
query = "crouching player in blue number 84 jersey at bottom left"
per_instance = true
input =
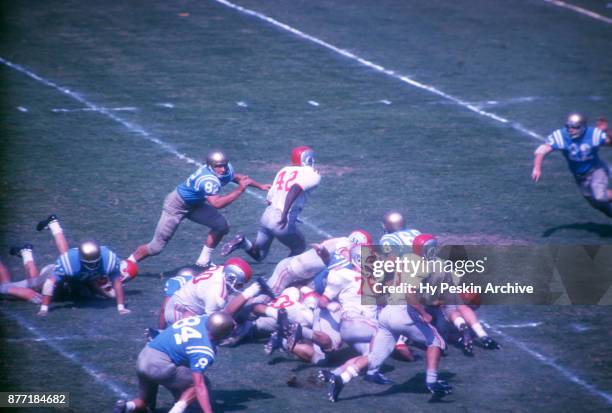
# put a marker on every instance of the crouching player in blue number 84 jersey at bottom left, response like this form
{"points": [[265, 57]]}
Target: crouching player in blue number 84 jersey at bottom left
{"points": [[177, 360]]}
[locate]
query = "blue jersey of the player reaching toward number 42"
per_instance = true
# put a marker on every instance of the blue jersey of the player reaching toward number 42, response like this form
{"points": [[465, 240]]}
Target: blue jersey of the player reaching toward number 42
{"points": [[202, 183]]}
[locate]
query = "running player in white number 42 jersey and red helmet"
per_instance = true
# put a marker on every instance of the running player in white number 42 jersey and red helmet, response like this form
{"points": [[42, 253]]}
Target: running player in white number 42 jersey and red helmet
{"points": [[286, 199]]}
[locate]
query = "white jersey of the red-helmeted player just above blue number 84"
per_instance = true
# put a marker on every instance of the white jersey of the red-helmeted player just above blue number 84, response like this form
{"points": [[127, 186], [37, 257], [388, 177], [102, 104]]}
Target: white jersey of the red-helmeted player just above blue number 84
{"points": [[205, 293]]}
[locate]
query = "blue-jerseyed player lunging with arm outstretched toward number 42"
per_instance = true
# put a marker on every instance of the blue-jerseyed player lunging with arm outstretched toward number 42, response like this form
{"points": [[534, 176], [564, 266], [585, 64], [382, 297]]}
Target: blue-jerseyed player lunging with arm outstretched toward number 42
{"points": [[198, 199]]}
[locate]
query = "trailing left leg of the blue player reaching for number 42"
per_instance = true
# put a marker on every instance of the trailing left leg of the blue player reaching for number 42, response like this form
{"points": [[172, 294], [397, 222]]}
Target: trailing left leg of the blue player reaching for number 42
{"points": [[173, 212]]}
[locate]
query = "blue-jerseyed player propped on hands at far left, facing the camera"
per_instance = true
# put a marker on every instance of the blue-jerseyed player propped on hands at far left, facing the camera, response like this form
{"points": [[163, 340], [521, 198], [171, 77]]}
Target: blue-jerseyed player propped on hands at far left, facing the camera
{"points": [[88, 265]]}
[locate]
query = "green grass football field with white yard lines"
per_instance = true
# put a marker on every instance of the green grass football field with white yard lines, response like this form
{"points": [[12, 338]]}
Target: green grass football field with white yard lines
{"points": [[433, 108]]}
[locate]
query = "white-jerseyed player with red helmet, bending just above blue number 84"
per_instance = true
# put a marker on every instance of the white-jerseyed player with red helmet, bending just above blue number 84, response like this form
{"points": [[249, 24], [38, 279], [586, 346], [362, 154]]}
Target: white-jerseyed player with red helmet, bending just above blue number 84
{"points": [[207, 292]]}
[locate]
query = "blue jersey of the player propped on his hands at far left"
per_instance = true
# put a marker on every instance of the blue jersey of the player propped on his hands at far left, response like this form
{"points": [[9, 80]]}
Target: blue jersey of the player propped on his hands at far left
{"points": [[68, 266]]}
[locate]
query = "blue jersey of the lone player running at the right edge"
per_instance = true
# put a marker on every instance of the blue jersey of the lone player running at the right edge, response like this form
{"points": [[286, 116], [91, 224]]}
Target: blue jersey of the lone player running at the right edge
{"points": [[581, 153]]}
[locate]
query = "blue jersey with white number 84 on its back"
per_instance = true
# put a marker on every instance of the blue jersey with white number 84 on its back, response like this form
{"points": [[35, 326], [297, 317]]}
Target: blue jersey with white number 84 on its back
{"points": [[187, 343]]}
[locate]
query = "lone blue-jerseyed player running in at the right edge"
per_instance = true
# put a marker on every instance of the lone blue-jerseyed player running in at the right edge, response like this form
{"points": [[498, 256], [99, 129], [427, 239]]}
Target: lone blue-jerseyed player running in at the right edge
{"points": [[580, 144]]}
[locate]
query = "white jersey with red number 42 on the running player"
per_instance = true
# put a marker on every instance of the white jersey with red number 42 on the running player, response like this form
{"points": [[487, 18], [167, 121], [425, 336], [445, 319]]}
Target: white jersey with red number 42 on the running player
{"points": [[304, 176]]}
